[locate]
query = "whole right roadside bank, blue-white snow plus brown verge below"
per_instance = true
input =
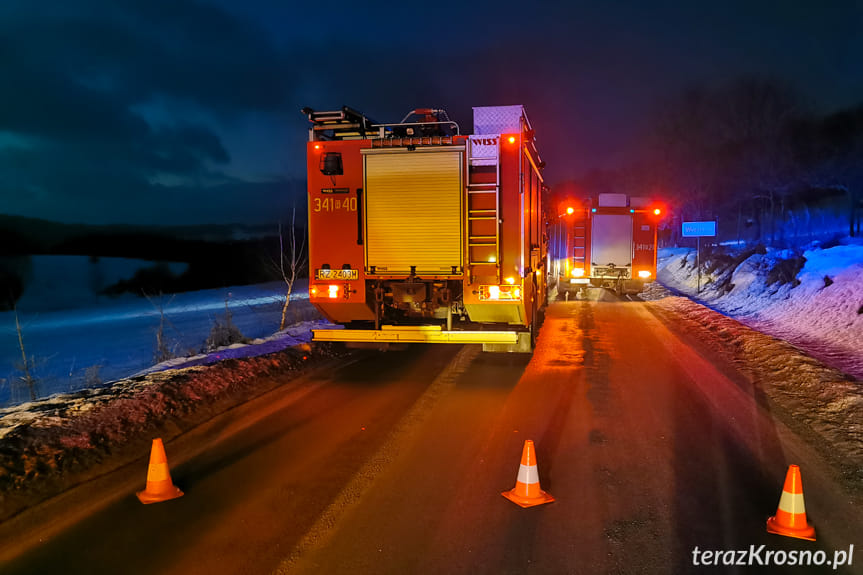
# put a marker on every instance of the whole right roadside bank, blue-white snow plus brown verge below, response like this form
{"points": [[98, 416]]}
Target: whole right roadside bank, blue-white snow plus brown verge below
{"points": [[812, 298]]}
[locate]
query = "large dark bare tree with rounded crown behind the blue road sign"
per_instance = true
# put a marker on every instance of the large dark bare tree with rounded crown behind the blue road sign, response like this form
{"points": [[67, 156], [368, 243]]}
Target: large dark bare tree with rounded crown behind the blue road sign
{"points": [[728, 149]]}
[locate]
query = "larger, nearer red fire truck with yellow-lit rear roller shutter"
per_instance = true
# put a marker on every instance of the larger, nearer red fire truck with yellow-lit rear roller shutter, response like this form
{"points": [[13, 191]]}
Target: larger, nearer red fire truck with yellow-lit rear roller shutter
{"points": [[418, 233]]}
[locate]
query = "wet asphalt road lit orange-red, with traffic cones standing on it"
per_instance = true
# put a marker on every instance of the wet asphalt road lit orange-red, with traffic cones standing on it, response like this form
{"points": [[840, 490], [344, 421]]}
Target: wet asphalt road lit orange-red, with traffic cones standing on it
{"points": [[395, 463]]}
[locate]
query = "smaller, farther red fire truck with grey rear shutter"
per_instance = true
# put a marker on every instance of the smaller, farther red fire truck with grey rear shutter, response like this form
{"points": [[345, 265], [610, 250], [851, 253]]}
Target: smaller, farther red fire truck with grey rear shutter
{"points": [[608, 241]]}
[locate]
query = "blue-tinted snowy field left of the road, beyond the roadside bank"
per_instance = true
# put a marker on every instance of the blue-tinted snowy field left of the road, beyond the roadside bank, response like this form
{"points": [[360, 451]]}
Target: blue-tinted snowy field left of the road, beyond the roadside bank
{"points": [[109, 339]]}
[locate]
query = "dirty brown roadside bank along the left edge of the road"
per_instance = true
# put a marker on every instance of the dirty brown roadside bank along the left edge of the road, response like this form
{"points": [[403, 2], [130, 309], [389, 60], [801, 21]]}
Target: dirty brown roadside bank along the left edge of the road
{"points": [[50, 445]]}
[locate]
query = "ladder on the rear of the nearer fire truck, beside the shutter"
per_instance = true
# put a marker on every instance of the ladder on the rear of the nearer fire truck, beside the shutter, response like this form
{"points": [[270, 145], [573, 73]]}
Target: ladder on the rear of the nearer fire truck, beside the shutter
{"points": [[483, 205]]}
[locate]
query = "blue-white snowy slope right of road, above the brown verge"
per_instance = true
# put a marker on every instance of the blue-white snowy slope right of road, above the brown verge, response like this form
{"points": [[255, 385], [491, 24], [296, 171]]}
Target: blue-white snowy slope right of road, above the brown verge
{"points": [[818, 308]]}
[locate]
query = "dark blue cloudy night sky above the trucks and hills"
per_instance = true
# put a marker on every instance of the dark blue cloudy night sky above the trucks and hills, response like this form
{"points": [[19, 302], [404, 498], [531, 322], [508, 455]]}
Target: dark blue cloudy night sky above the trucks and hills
{"points": [[182, 112]]}
